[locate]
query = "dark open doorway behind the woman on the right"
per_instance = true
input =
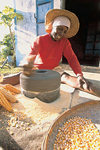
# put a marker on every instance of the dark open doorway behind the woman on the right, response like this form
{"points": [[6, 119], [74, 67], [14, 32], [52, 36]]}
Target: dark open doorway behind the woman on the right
{"points": [[86, 44]]}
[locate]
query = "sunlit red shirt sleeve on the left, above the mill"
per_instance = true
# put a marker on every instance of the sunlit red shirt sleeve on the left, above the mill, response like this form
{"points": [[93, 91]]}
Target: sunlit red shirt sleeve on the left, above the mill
{"points": [[34, 47]]}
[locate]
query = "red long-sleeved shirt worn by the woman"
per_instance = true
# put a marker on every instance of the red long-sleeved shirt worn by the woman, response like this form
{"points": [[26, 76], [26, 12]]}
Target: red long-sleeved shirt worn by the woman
{"points": [[49, 53]]}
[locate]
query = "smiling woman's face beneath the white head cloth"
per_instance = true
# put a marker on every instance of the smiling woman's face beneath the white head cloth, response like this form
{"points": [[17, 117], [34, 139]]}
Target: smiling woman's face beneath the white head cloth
{"points": [[58, 32]]}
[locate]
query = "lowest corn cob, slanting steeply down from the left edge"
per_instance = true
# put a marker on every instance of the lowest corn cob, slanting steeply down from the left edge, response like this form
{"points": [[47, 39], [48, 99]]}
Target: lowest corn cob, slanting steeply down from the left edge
{"points": [[4, 102]]}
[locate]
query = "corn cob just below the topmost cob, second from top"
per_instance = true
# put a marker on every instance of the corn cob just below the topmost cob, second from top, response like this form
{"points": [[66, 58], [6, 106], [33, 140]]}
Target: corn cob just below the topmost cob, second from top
{"points": [[8, 96]]}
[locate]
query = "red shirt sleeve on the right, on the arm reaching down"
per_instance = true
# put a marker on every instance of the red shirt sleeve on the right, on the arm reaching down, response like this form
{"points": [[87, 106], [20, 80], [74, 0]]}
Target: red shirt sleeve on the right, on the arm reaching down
{"points": [[72, 59]]}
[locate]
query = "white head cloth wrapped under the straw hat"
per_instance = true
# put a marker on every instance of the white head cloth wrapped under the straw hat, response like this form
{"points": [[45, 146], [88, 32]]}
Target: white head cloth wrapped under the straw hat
{"points": [[61, 20]]}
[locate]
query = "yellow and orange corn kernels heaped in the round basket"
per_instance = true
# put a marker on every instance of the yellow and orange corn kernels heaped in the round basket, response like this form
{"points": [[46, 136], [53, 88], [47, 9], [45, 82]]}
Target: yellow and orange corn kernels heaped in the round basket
{"points": [[78, 134]]}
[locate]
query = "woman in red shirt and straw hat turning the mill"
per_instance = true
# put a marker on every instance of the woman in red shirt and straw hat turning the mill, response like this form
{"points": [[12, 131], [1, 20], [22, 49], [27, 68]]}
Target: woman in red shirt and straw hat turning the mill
{"points": [[47, 50]]}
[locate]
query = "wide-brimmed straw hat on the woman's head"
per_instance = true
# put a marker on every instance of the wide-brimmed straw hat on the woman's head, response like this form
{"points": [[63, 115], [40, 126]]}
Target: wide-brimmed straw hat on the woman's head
{"points": [[53, 13]]}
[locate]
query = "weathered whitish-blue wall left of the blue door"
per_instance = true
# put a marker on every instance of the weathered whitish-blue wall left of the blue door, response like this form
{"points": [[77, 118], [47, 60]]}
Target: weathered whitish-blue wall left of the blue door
{"points": [[25, 30]]}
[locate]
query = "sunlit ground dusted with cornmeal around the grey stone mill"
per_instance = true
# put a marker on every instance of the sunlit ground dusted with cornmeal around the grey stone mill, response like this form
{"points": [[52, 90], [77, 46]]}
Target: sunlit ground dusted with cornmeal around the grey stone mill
{"points": [[43, 114]]}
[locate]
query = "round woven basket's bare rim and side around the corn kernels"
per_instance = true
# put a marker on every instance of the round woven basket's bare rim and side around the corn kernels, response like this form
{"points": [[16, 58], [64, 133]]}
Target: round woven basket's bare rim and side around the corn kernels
{"points": [[89, 110]]}
